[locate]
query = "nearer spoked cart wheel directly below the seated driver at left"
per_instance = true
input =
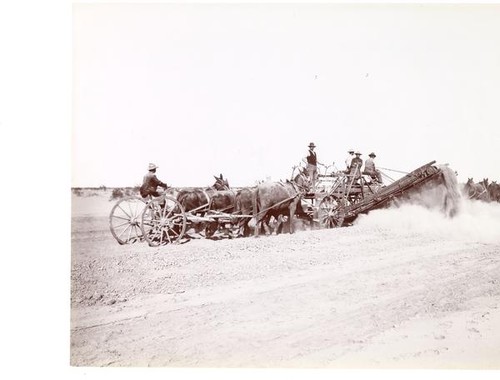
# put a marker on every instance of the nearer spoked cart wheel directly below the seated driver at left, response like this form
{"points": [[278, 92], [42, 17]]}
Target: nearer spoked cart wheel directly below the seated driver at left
{"points": [[163, 222]]}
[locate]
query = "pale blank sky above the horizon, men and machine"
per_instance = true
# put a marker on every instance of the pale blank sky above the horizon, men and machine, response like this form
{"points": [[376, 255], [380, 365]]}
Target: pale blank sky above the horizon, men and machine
{"points": [[242, 89]]}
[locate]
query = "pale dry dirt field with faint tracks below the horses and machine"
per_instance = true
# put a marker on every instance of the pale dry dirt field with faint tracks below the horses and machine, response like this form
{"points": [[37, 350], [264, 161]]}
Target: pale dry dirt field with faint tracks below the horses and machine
{"points": [[404, 288]]}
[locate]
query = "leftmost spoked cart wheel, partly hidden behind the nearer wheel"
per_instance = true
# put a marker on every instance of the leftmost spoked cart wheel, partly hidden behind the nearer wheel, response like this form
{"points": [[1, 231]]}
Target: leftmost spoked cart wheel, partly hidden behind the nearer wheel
{"points": [[125, 220]]}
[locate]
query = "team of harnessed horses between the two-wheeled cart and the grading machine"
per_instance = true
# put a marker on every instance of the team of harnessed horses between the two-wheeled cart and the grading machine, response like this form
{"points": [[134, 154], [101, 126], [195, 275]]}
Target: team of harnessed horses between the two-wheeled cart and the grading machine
{"points": [[260, 207]]}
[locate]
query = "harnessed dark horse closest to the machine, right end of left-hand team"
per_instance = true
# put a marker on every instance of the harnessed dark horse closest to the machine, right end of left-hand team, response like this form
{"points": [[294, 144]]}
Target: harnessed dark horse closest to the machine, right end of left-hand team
{"points": [[278, 200]]}
